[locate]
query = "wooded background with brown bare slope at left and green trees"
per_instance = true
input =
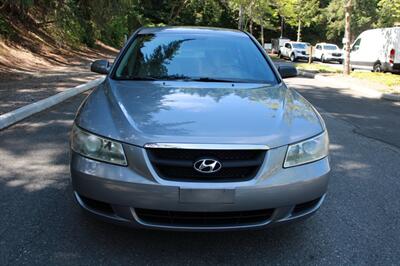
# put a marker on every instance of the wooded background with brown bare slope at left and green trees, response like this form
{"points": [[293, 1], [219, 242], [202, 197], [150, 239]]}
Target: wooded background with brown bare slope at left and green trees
{"points": [[38, 33]]}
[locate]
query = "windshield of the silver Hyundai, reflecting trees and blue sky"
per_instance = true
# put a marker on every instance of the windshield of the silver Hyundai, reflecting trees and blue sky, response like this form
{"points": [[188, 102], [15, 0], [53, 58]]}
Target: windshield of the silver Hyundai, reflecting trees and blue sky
{"points": [[194, 57]]}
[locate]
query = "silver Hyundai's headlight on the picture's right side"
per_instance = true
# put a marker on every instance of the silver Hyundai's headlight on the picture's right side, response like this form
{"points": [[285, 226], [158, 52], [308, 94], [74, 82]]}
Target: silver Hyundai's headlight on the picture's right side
{"points": [[307, 151]]}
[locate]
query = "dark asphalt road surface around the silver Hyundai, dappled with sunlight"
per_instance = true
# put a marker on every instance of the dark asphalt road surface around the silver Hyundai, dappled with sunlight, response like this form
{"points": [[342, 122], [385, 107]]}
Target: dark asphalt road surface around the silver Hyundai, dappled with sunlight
{"points": [[358, 224]]}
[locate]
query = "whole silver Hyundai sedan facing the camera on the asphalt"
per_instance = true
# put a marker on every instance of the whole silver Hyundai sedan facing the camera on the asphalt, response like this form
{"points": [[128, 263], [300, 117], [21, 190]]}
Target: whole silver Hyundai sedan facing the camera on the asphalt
{"points": [[194, 129]]}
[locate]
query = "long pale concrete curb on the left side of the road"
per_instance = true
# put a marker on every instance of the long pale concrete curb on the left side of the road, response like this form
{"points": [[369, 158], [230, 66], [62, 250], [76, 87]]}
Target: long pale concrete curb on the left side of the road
{"points": [[19, 114]]}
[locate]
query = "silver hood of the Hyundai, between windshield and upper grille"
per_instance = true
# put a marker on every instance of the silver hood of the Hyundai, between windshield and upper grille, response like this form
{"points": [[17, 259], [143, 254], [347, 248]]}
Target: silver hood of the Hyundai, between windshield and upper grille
{"points": [[141, 112]]}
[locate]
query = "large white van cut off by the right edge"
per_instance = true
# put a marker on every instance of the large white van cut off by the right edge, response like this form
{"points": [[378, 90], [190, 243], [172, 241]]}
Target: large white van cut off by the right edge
{"points": [[377, 50]]}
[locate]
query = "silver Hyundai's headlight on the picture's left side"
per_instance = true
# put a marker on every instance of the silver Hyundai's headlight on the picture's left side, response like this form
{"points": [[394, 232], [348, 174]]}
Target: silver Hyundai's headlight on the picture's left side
{"points": [[98, 148]]}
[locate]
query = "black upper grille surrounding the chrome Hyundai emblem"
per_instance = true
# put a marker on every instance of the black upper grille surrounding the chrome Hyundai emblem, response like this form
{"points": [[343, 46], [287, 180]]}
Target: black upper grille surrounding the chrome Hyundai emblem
{"points": [[178, 164]]}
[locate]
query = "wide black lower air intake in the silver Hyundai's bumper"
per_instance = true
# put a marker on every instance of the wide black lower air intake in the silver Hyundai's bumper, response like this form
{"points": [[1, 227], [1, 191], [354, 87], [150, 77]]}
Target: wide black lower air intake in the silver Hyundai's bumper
{"points": [[203, 219]]}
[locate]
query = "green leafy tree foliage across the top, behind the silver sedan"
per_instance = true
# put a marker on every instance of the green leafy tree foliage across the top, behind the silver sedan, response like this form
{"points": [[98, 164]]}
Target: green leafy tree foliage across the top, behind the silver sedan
{"points": [[76, 22]]}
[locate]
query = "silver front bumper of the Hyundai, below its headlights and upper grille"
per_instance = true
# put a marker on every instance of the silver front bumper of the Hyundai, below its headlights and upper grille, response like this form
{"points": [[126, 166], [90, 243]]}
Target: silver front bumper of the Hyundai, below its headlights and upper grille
{"points": [[114, 193]]}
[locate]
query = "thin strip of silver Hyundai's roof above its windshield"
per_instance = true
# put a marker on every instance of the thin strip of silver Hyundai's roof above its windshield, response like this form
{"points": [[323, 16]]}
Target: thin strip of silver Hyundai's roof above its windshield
{"points": [[192, 30]]}
